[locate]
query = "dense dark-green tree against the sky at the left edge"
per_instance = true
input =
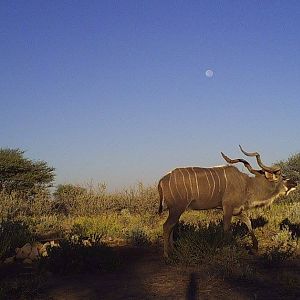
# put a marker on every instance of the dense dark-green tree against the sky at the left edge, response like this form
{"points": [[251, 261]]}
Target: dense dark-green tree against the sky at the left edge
{"points": [[20, 174]]}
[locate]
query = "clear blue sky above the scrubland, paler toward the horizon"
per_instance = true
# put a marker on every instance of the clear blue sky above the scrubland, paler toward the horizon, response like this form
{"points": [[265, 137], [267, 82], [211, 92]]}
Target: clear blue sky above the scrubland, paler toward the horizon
{"points": [[116, 92]]}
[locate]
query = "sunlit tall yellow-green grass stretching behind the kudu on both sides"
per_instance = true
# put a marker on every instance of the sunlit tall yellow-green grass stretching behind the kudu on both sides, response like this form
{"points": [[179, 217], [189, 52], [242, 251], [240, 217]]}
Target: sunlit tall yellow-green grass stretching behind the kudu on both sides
{"points": [[131, 214]]}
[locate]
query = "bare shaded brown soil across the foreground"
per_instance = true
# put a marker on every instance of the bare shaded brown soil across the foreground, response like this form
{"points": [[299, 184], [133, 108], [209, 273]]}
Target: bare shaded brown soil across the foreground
{"points": [[146, 275]]}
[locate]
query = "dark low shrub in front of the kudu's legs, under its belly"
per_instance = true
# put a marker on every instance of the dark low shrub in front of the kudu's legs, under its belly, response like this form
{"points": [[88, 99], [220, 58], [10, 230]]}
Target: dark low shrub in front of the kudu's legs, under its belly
{"points": [[199, 244]]}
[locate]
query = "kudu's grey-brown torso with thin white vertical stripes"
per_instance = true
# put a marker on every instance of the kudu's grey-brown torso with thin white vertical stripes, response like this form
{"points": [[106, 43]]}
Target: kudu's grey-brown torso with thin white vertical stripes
{"points": [[194, 187]]}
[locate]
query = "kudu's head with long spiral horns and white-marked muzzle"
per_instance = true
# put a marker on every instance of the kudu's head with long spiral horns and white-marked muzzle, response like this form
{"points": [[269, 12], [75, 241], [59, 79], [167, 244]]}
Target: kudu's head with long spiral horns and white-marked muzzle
{"points": [[270, 176]]}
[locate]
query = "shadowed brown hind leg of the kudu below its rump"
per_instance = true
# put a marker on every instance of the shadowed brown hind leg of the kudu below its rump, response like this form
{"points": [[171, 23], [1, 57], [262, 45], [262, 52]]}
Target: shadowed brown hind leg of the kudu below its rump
{"points": [[168, 228]]}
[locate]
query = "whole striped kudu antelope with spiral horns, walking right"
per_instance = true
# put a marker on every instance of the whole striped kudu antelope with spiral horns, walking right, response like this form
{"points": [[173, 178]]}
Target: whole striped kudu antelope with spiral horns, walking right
{"points": [[222, 187]]}
